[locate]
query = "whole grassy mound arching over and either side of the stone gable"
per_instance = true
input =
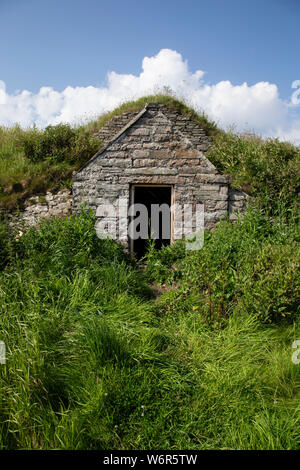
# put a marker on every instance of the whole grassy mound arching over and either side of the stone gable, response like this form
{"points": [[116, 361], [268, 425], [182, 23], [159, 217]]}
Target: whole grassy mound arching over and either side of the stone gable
{"points": [[35, 161]]}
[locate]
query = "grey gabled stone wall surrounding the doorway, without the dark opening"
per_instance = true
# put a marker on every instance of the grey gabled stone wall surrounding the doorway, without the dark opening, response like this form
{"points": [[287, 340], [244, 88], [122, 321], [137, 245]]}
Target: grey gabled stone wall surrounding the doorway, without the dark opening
{"points": [[158, 146]]}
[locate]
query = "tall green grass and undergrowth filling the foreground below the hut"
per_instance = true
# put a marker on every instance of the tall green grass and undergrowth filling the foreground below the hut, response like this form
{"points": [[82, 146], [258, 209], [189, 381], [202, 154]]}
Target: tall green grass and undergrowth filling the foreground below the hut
{"points": [[95, 362]]}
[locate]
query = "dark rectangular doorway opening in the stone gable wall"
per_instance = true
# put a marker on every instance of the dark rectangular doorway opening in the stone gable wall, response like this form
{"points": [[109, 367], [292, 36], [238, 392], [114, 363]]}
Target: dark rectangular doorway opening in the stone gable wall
{"points": [[156, 204]]}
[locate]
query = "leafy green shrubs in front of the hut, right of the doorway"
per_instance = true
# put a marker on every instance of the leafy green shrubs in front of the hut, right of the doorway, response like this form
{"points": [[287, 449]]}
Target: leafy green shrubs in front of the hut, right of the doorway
{"points": [[250, 267]]}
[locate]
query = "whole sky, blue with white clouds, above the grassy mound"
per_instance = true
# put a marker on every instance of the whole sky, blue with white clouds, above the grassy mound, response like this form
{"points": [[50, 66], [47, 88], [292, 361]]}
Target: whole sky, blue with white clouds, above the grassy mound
{"points": [[73, 45]]}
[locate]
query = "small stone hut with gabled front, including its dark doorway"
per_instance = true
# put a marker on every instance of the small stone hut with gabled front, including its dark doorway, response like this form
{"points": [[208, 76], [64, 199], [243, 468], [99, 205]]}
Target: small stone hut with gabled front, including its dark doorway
{"points": [[155, 156]]}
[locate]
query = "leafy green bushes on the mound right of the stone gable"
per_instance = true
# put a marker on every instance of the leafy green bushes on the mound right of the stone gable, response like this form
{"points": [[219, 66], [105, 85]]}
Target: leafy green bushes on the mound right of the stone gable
{"points": [[266, 169]]}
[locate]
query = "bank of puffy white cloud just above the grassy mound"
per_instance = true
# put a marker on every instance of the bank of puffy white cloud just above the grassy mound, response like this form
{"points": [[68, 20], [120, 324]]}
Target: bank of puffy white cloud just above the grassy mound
{"points": [[257, 108]]}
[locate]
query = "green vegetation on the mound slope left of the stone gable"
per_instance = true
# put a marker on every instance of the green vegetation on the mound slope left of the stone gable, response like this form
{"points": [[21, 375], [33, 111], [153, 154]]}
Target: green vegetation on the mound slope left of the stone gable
{"points": [[34, 161]]}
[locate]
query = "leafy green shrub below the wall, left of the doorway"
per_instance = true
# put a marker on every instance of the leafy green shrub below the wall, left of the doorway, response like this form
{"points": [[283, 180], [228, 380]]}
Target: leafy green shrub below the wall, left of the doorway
{"points": [[61, 245]]}
